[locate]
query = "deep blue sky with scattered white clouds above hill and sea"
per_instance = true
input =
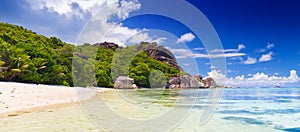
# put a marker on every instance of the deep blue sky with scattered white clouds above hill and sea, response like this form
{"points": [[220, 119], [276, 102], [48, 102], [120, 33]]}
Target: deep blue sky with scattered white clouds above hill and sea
{"points": [[260, 39]]}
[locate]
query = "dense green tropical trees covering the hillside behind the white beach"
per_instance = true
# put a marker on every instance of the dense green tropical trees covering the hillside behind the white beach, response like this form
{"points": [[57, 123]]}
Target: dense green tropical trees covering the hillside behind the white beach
{"points": [[31, 58]]}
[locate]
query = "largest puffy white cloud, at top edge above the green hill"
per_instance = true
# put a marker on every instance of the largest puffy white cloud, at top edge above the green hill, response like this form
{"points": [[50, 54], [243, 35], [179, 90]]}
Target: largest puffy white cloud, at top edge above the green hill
{"points": [[102, 25]]}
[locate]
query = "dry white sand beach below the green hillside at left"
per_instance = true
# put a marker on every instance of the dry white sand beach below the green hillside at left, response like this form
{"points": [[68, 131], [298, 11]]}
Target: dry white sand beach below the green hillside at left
{"points": [[19, 98]]}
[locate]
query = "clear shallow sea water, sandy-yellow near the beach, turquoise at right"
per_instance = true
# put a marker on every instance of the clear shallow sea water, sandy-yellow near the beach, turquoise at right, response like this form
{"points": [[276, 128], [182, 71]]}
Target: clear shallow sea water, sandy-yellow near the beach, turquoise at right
{"points": [[242, 109]]}
